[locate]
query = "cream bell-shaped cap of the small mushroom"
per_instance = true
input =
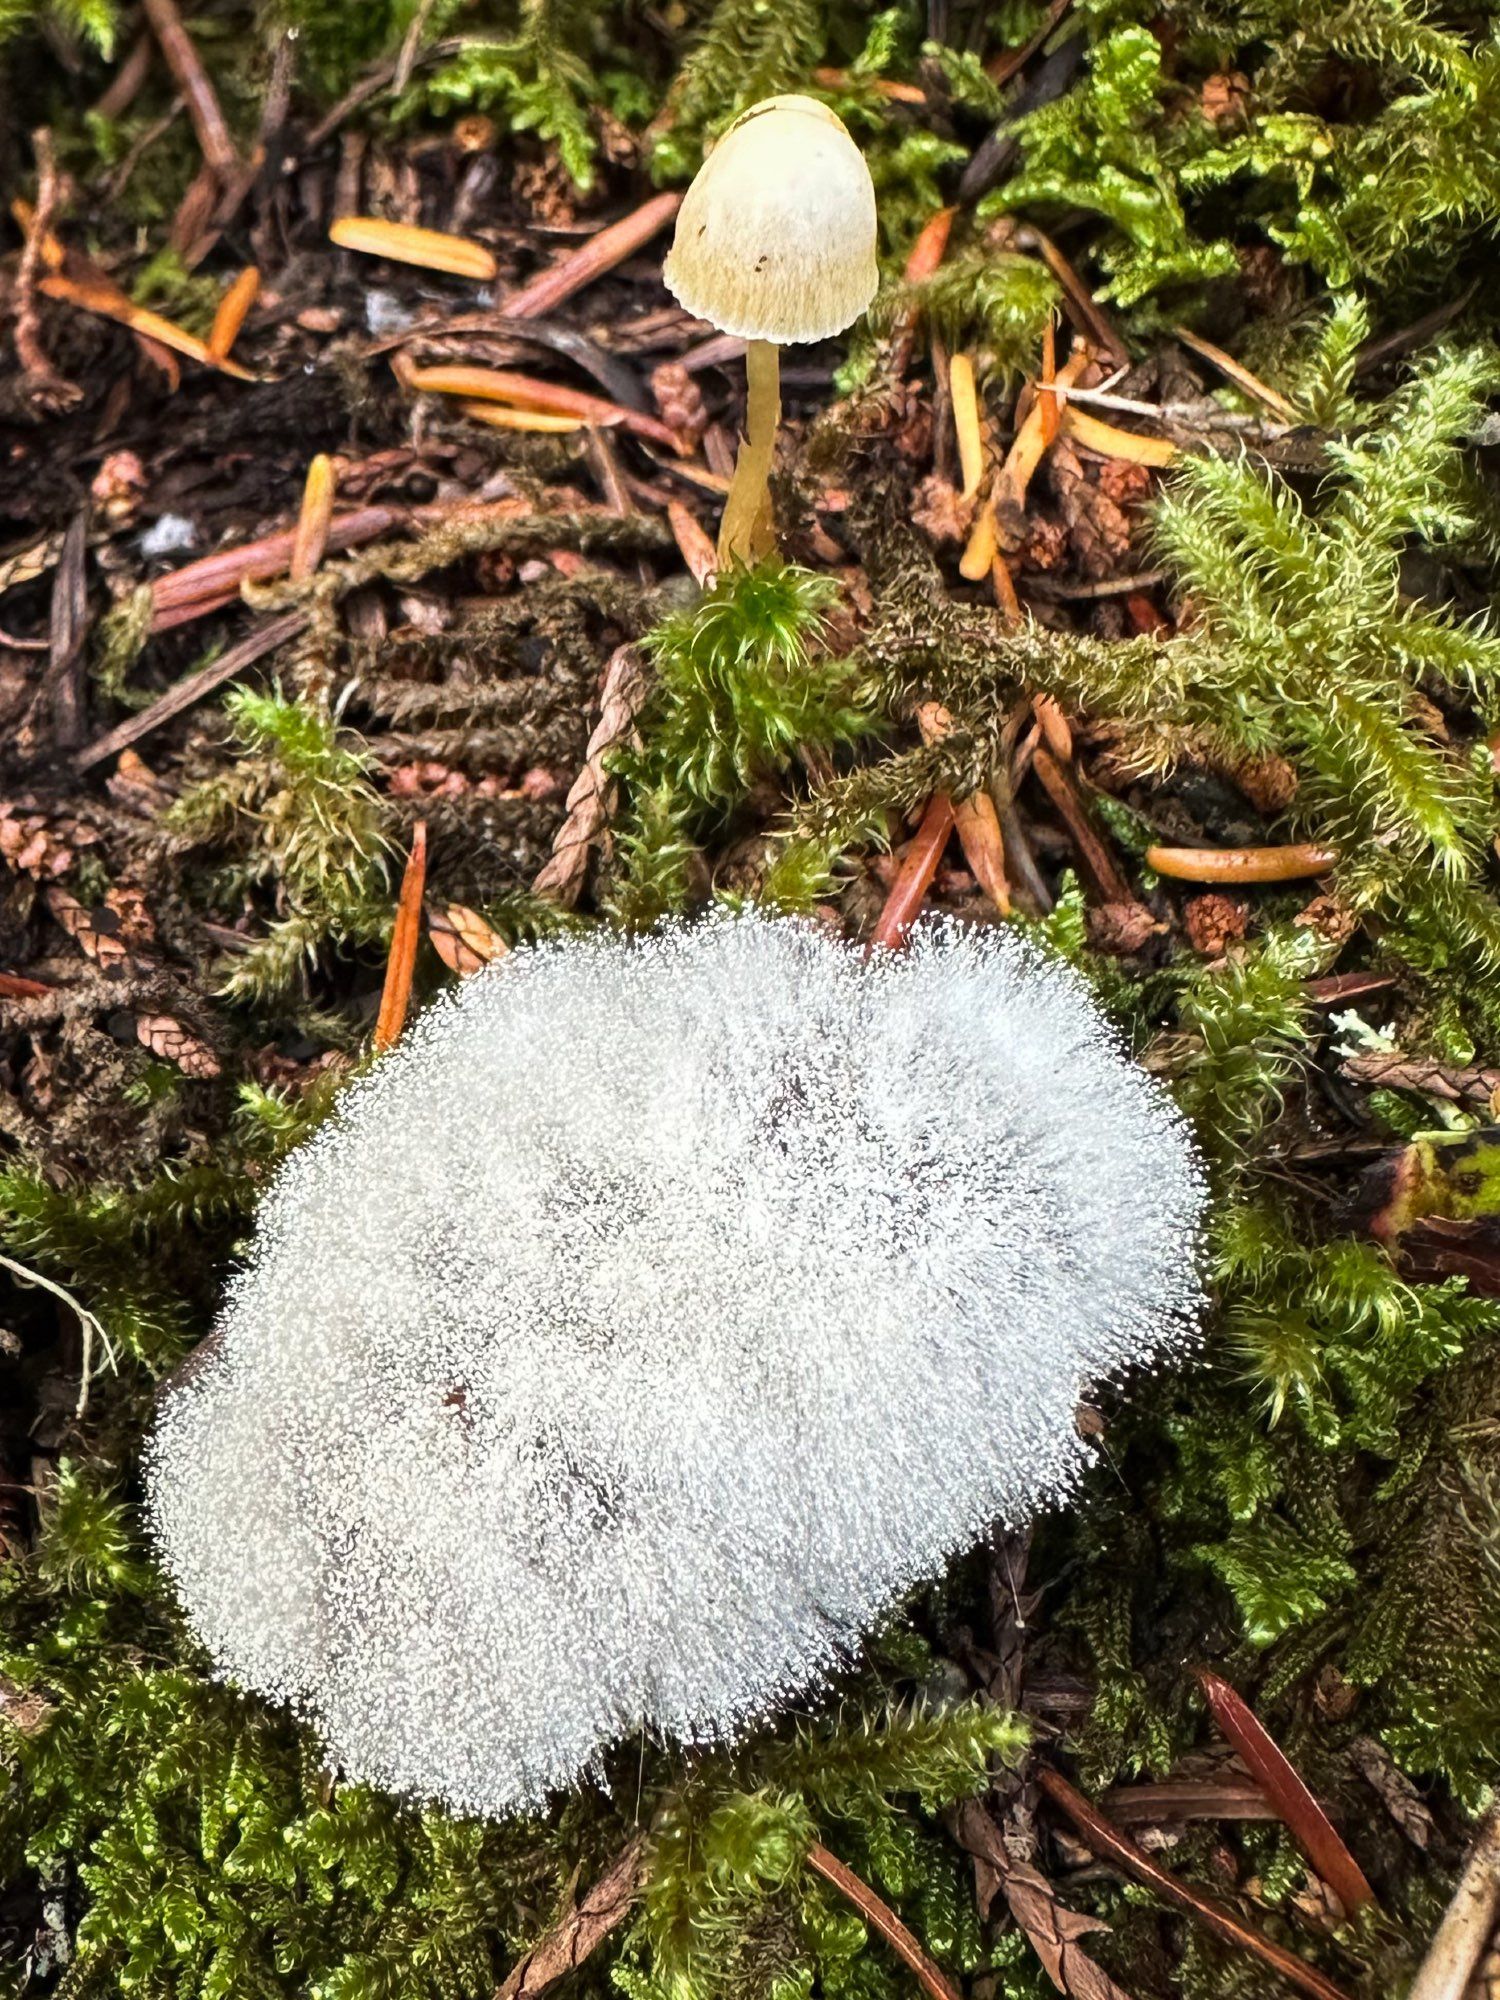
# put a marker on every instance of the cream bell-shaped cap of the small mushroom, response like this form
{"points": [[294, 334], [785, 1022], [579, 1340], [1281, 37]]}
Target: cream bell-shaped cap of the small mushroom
{"points": [[777, 237]]}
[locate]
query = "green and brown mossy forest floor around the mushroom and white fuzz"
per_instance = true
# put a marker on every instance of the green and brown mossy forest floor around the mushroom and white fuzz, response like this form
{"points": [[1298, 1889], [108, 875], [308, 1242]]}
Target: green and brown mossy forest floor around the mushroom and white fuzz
{"points": [[1283, 639]]}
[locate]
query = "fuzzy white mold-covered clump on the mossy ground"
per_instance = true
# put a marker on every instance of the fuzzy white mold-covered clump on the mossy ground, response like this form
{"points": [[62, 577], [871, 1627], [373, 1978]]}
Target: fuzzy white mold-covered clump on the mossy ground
{"points": [[651, 1319]]}
